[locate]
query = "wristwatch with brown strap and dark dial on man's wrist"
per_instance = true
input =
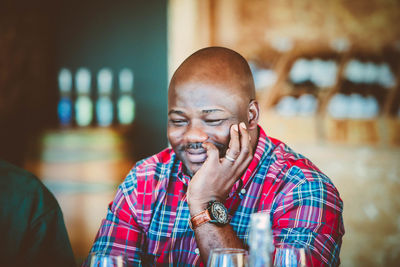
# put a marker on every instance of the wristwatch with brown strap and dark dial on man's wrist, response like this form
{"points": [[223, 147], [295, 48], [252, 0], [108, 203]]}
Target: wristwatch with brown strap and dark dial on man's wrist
{"points": [[215, 213]]}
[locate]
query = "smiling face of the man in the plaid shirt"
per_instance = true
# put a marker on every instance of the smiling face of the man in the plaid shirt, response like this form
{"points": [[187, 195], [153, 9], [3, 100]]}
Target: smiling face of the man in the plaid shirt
{"points": [[199, 112]]}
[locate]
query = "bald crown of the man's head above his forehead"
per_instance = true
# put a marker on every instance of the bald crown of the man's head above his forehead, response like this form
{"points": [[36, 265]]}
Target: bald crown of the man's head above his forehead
{"points": [[219, 66]]}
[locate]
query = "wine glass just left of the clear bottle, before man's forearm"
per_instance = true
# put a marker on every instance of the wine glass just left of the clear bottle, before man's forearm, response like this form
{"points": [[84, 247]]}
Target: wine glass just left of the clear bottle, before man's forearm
{"points": [[228, 257]]}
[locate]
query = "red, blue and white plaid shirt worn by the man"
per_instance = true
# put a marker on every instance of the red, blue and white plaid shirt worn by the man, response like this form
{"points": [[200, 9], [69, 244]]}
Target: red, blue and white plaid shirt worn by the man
{"points": [[148, 219]]}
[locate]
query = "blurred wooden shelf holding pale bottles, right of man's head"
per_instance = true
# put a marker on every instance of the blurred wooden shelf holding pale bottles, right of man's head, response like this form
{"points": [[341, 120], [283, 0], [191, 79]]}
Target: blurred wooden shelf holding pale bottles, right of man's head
{"points": [[381, 130]]}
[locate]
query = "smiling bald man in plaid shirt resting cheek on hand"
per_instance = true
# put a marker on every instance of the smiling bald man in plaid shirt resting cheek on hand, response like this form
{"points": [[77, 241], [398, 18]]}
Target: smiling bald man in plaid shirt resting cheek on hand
{"points": [[176, 206]]}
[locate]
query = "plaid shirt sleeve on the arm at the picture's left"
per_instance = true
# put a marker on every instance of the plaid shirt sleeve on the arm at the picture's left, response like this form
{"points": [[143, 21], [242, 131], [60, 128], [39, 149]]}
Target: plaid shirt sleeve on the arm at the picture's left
{"points": [[122, 231]]}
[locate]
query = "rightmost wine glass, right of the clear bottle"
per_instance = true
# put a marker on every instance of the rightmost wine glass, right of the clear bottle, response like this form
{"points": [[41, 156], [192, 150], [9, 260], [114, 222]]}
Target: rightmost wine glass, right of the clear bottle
{"points": [[291, 256]]}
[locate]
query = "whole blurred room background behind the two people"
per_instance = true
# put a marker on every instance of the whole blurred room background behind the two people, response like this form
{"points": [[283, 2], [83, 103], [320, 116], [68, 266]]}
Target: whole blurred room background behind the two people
{"points": [[83, 96]]}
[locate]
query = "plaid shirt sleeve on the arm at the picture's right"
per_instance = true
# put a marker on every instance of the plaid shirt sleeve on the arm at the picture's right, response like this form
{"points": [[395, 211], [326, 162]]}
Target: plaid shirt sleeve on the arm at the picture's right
{"points": [[308, 213]]}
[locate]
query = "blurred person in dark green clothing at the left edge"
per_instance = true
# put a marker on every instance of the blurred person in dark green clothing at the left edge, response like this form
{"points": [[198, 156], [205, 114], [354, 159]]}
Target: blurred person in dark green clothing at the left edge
{"points": [[32, 230]]}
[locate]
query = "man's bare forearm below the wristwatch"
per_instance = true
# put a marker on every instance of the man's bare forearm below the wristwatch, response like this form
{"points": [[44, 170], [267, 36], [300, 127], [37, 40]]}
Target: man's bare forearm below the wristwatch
{"points": [[210, 236]]}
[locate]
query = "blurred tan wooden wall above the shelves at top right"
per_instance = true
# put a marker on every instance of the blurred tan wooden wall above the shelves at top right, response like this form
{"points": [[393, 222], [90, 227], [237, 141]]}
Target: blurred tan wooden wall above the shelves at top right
{"points": [[368, 25]]}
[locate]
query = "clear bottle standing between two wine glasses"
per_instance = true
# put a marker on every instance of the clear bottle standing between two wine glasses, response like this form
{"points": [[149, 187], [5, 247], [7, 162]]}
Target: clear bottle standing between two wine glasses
{"points": [[260, 240]]}
